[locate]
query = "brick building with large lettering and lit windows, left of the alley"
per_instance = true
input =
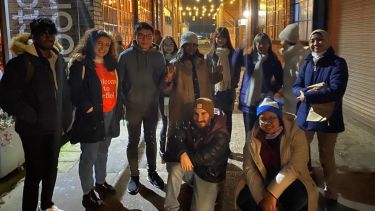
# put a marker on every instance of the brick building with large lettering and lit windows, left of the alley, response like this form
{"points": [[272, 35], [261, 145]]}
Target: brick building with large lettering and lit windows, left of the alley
{"points": [[73, 18]]}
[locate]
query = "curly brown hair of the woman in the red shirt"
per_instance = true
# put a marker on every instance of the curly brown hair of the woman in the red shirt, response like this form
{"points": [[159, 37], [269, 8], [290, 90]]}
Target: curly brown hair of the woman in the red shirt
{"points": [[86, 48]]}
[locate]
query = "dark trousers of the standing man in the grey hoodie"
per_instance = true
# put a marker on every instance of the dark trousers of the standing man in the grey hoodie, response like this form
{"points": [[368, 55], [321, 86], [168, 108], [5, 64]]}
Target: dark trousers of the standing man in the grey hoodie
{"points": [[149, 120]]}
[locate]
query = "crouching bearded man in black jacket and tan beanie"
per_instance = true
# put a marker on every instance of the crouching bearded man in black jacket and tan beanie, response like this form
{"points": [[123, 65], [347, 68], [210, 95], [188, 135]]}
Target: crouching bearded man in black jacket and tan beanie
{"points": [[198, 153]]}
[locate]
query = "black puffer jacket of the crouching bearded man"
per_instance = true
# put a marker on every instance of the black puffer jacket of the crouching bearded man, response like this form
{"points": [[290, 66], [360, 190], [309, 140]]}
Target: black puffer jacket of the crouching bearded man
{"points": [[208, 148]]}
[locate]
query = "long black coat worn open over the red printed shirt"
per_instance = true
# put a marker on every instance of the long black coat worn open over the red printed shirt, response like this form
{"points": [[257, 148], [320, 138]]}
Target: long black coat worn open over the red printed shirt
{"points": [[87, 93]]}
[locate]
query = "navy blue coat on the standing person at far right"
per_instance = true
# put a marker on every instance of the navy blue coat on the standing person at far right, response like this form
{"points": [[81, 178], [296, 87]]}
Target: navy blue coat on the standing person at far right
{"points": [[332, 70]]}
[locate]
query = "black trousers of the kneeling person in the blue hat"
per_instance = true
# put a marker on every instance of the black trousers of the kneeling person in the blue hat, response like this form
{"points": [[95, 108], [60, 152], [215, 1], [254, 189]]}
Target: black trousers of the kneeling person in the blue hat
{"points": [[294, 198]]}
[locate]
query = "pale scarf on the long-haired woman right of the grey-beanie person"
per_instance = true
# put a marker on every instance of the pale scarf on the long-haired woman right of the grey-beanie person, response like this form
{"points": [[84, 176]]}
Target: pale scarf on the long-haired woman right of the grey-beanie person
{"points": [[225, 84]]}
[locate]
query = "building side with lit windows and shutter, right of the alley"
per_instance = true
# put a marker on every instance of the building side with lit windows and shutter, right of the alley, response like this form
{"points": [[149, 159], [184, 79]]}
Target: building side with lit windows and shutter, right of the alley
{"points": [[351, 26]]}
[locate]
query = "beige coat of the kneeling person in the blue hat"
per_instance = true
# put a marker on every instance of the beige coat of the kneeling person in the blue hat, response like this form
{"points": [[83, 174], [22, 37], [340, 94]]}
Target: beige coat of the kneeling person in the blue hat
{"points": [[294, 157]]}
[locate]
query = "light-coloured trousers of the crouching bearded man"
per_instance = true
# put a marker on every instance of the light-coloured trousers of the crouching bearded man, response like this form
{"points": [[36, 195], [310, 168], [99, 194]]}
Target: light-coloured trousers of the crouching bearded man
{"points": [[204, 193]]}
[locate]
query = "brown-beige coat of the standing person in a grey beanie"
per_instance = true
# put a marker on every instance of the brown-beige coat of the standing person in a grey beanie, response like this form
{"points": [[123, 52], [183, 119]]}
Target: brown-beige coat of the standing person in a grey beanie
{"points": [[181, 90]]}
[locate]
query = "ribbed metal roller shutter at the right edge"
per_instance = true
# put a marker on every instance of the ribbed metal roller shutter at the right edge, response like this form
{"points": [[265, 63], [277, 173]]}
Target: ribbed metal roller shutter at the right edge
{"points": [[356, 44]]}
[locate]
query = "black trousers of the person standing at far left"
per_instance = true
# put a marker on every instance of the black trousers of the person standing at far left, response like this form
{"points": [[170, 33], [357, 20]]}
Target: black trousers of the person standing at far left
{"points": [[41, 160]]}
